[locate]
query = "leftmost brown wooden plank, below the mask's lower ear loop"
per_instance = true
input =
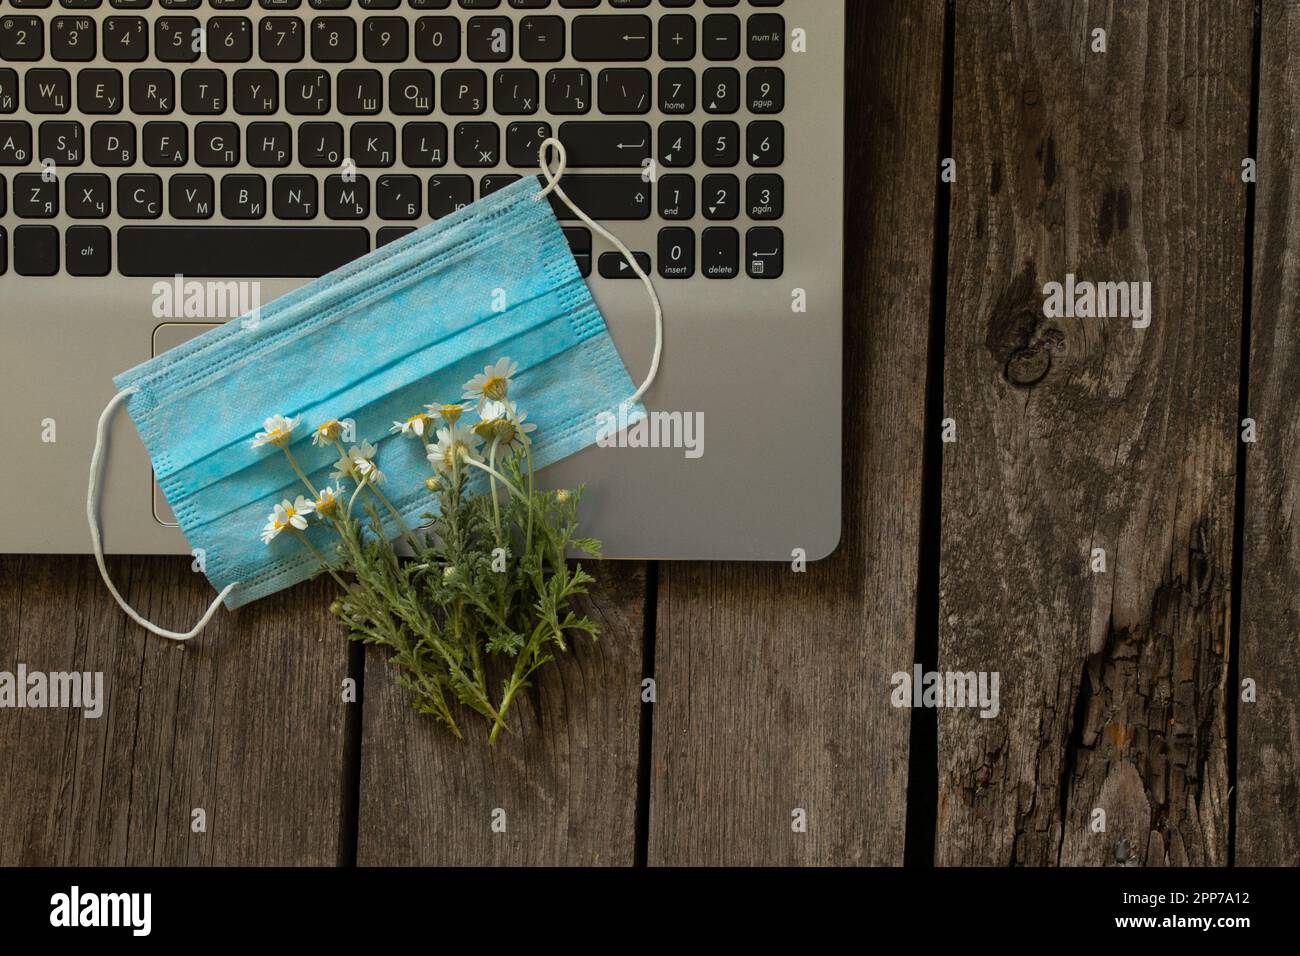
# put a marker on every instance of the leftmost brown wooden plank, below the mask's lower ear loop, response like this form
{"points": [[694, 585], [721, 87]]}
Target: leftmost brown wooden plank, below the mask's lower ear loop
{"points": [[245, 723]]}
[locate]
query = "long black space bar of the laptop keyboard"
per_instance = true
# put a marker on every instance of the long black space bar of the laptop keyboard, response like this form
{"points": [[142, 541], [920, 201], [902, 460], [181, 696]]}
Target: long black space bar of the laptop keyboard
{"points": [[239, 252]]}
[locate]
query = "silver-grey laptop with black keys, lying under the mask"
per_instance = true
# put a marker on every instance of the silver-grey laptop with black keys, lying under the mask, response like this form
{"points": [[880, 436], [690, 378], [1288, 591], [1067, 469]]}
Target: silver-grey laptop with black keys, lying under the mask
{"points": [[167, 165]]}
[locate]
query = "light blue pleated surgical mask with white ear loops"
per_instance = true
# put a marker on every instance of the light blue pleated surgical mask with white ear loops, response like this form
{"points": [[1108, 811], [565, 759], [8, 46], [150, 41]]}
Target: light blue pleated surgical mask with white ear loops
{"points": [[372, 343]]}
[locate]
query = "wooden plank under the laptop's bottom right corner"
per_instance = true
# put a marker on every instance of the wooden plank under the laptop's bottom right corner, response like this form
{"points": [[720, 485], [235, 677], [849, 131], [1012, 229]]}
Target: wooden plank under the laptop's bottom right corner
{"points": [[773, 686]]}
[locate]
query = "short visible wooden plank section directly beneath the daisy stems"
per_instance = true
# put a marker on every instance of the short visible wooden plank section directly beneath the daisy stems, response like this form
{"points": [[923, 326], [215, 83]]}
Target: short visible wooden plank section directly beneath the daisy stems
{"points": [[566, 780]]}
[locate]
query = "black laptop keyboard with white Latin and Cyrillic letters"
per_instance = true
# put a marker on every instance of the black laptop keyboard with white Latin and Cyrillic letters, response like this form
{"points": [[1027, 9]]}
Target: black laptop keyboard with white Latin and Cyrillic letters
{"points": [[281, 139]]}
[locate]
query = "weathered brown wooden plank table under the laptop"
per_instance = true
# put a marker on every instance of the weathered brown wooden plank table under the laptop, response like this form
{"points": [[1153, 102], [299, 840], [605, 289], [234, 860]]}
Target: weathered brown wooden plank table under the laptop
{"points": [[1120, 690]]}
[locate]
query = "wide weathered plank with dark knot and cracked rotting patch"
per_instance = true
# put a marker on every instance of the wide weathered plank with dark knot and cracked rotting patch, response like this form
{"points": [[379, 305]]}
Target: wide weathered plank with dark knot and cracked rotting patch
{"points": [[1115, 167]]}
